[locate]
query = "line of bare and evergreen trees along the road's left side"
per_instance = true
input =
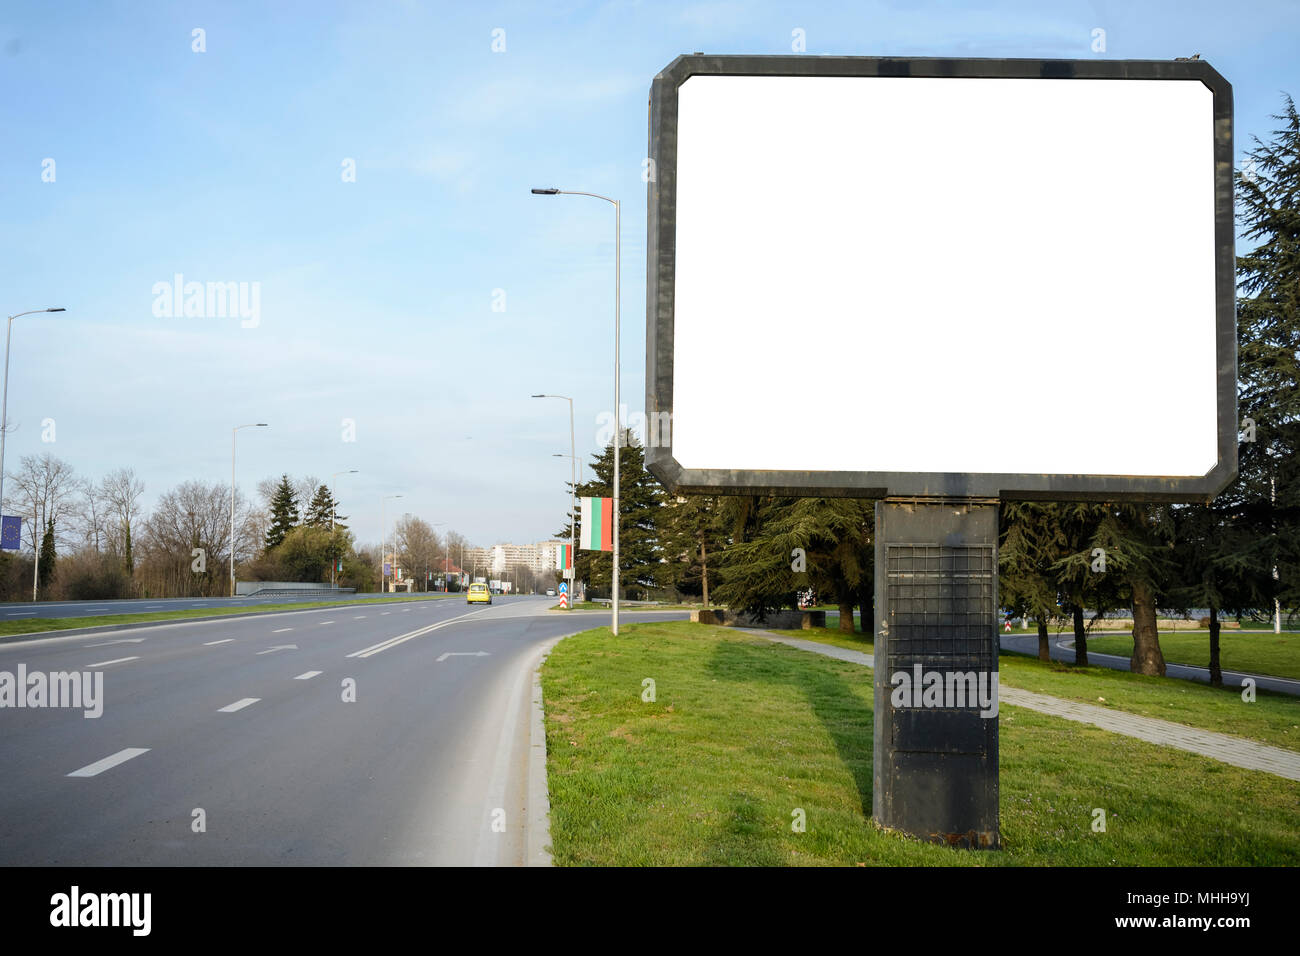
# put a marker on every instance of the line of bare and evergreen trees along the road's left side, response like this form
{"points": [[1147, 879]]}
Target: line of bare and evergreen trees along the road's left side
{"points": [[97, 542]]}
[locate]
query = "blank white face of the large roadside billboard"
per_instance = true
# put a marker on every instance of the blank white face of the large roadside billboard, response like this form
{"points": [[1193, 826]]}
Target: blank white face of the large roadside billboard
{"points": [[946, 275]]}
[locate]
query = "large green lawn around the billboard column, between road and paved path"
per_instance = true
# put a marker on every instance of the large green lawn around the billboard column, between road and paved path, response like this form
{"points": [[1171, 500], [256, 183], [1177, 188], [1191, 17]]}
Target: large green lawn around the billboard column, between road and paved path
{"points": [[743, 733]]}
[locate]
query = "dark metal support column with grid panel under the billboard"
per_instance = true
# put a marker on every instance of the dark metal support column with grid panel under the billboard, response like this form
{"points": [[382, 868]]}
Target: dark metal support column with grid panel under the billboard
{"points": [[935, 758]]}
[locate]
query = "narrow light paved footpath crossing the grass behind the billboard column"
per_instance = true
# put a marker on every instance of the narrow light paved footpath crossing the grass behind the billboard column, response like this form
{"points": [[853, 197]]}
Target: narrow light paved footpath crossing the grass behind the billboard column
{"points": [[1221, 747]]}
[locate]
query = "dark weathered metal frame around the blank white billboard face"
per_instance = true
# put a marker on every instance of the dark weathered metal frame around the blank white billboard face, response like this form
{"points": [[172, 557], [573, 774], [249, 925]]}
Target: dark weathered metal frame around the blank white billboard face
{"points": [[661, 257]]}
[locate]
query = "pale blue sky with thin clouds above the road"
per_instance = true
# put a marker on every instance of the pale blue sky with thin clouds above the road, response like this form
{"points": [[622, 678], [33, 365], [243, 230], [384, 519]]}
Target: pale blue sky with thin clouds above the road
{"points": [[376, 296]]}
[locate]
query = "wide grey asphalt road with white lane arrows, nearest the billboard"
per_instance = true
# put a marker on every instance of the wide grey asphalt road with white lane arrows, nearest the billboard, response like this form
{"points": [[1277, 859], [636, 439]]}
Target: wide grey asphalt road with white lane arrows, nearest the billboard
{"points": [[246, 721]]}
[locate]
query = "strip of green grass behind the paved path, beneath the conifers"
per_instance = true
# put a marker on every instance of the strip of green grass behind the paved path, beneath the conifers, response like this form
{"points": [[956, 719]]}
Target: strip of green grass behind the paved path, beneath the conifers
{"points": [[1272, 719]]}
